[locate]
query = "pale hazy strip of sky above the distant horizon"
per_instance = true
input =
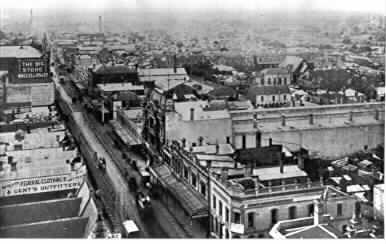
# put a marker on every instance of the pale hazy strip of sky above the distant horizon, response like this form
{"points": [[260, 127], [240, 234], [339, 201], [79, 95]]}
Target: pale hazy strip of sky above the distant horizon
{"points": [[378, 6]]}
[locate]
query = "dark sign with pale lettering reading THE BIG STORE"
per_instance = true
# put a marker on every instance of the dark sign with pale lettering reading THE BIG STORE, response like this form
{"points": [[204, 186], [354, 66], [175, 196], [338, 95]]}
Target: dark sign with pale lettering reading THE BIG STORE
{"points": [[32, 68]]}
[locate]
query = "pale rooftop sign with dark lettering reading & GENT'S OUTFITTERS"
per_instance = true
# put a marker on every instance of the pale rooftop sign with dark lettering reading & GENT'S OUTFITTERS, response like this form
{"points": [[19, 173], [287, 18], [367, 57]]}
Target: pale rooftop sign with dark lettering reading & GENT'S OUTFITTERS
{"points": [[40, 184]]}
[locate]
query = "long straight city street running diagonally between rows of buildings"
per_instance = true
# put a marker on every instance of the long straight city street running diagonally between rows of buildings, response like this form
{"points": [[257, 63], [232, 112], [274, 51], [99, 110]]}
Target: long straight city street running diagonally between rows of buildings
{"points": [[105, 148]]}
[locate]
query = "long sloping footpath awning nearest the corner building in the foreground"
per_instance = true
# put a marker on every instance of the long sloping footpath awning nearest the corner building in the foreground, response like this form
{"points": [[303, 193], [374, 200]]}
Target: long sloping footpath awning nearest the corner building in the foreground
{"points": [[194, 204]]}
